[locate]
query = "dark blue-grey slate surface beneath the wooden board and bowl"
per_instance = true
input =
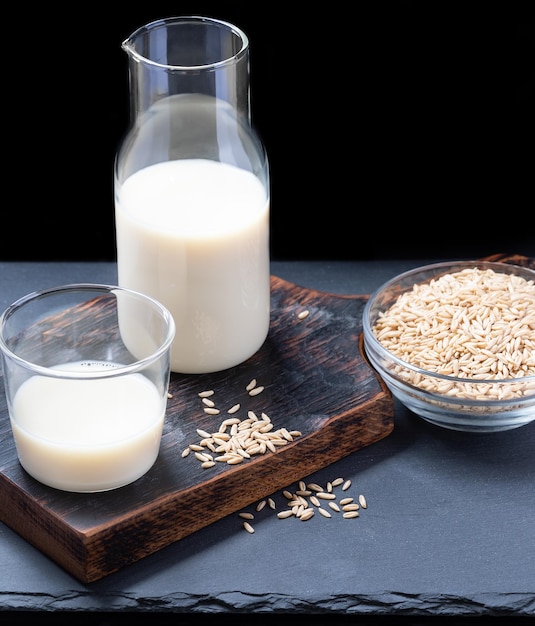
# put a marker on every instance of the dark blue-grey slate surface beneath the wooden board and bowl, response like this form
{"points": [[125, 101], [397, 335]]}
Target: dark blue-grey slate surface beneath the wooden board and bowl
{"points": [[448, 531]]}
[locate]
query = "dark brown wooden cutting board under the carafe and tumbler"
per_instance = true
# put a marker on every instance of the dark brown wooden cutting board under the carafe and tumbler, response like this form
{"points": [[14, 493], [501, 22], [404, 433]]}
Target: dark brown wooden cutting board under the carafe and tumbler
{"points": [[316, 381]]}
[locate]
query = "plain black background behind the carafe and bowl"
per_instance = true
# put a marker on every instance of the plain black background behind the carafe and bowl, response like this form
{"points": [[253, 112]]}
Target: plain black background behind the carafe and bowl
{"points": [[393, 129]]}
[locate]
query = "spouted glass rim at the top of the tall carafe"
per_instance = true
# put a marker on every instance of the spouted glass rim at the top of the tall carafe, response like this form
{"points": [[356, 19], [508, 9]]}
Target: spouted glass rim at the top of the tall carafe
{"points": [[129, 47]]}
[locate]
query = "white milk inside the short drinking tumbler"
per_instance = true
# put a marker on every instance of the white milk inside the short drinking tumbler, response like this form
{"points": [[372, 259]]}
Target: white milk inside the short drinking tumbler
{"points": [[87, 435]]}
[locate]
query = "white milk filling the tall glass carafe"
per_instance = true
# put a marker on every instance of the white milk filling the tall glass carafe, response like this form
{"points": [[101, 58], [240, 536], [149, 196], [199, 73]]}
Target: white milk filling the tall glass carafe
{"points": [[194, 234]]}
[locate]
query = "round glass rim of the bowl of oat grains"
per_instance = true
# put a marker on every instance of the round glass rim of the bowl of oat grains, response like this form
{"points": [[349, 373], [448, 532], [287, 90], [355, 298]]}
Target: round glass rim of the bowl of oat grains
{"points": [[378, 347]]}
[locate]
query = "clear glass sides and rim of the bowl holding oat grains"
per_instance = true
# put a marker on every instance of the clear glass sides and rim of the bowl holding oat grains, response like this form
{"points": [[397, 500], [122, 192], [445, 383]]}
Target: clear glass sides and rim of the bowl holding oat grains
{"points": [[458, 402]]}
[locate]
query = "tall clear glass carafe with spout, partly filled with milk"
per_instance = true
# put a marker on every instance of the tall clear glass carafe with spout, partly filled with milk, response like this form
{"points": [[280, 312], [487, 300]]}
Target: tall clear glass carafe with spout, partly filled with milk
{"points": [[192, 191]]}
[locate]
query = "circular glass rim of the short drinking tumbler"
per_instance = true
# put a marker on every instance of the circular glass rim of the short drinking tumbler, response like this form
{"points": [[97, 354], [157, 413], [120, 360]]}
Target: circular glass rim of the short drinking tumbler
{"points": [[103, 288]]}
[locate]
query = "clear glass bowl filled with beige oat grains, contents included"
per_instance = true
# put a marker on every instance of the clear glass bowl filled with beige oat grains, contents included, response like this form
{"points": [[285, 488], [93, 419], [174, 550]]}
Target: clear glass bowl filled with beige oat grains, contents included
{"points": [[455, 342]]}
